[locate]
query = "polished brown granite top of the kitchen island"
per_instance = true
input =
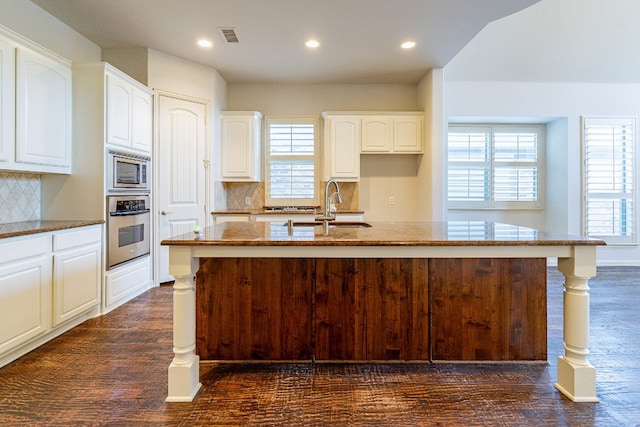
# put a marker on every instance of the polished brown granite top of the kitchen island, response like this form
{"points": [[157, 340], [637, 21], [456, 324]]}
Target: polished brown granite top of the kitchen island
{"points": [[451, 233]]}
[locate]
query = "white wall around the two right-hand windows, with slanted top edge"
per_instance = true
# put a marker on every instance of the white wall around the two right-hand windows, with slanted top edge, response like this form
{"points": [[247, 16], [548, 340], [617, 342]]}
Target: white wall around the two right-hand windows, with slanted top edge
{"points": [[498, 76]]}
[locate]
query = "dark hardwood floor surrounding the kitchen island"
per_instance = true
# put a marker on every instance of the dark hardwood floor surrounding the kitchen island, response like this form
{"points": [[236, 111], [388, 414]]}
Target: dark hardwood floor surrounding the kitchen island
{"points": [[113, 371]]}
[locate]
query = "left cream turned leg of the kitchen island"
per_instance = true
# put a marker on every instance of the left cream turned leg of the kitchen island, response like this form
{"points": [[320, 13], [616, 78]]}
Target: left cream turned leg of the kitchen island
{"points": [[184, 371]]}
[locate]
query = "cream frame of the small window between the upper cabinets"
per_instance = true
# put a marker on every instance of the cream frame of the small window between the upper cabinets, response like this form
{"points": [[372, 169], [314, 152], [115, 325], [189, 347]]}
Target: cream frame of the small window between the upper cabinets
{"points": [[286, 120]]}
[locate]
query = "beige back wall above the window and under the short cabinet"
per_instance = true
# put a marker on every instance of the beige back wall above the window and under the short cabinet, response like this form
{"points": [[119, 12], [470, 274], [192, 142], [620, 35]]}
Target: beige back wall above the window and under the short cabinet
{"points": [[381, 175]]}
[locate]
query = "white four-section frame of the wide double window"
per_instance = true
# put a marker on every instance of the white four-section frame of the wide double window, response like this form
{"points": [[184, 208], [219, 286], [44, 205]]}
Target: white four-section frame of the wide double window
{"points": [[492, 164]]}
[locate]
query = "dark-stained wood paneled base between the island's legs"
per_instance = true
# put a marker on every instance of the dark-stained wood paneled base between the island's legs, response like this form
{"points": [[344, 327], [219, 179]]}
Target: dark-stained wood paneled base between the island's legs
{"points": [[371, 309]]}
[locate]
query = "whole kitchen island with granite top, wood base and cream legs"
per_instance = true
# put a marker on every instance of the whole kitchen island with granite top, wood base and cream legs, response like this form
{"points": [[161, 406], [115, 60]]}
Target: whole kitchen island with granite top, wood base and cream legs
{"points": [[409, 272]]}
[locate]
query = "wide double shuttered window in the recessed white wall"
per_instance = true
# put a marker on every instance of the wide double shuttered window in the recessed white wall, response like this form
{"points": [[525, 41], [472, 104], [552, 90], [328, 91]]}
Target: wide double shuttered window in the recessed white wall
{"points": [[495, 166]]}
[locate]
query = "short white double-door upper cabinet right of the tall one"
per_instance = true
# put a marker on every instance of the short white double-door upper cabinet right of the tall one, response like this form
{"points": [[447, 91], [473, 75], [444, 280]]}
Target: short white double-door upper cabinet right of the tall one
{"points": [[393, 133]]}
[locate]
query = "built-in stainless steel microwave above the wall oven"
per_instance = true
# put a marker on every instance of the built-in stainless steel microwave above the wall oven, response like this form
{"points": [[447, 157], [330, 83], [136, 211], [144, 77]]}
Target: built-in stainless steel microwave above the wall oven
{"points": [[127, 172]]}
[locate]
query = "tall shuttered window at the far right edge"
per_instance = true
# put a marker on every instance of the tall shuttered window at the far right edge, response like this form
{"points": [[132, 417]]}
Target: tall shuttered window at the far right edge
{"points": [[608, 179]]}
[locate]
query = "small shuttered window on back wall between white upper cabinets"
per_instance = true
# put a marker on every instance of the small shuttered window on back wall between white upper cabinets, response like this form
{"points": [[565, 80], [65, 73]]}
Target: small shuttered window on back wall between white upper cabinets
{"points": [[291, 161]]}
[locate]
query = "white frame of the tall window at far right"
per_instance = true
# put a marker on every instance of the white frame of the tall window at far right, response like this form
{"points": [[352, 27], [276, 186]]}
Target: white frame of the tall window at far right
{"points": [[612, 239]]}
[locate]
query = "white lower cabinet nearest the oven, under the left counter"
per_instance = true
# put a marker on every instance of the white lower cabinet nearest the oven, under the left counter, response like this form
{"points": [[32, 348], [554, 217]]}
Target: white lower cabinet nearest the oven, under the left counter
{"points": [[77, 261]]}
